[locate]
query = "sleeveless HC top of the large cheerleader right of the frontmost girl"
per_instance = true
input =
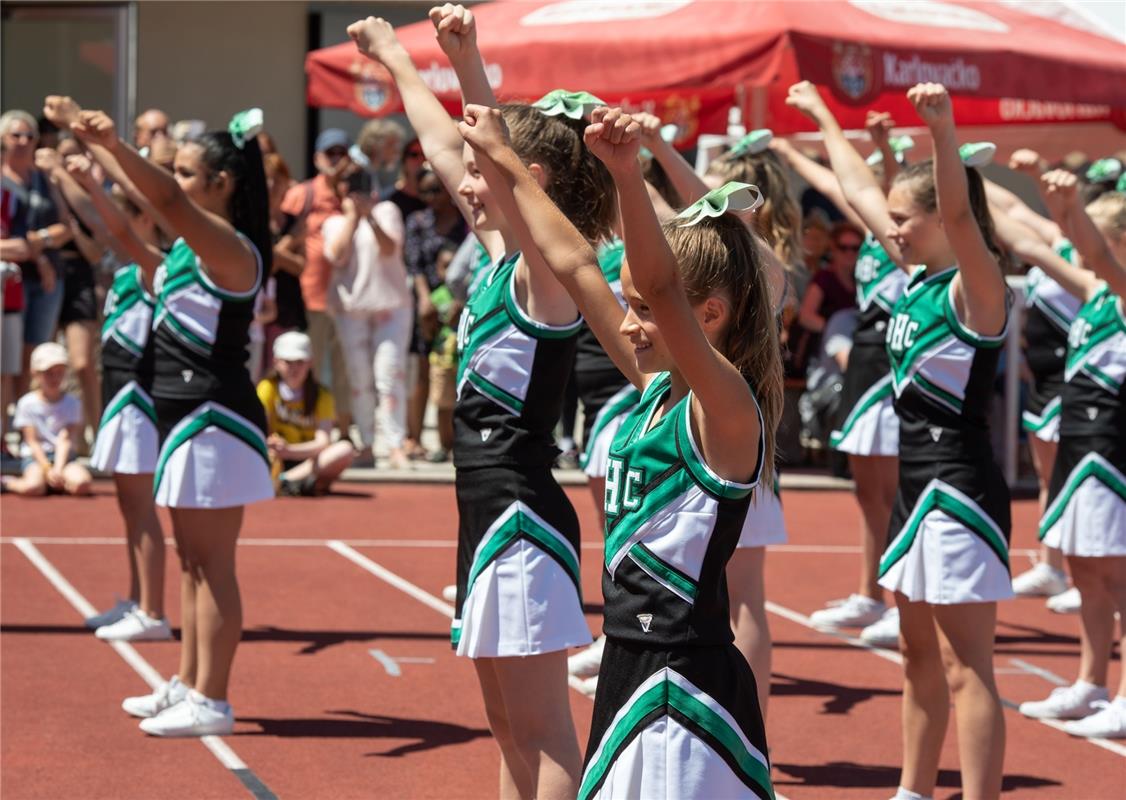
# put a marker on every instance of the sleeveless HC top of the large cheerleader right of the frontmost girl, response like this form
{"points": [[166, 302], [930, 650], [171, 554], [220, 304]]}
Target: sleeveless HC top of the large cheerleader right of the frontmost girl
{"points": [[943, 374]]}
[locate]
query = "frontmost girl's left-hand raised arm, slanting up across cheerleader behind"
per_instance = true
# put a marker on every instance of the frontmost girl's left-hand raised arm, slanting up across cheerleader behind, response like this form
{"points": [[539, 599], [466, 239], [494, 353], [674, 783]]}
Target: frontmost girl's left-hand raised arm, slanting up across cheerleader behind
{"points": [[542, 228]]}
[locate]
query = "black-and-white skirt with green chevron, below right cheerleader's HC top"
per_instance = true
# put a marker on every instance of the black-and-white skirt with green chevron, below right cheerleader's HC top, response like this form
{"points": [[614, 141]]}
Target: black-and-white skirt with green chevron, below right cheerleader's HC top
{"points": [[950, 536]]}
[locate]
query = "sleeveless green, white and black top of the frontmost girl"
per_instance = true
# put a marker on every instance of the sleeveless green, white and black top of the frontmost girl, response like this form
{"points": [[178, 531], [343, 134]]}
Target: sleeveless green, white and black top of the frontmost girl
{"points": [[672, 527]]}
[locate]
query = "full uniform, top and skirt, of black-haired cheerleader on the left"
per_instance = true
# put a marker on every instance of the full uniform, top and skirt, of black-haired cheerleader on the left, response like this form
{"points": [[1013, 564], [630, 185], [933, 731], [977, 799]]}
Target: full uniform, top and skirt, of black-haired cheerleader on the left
{"points": [[213, 428]]}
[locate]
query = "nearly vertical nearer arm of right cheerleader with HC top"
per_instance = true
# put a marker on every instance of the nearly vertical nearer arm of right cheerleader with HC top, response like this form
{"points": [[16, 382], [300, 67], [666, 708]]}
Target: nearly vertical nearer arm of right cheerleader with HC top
{"points": [[980, 282]]}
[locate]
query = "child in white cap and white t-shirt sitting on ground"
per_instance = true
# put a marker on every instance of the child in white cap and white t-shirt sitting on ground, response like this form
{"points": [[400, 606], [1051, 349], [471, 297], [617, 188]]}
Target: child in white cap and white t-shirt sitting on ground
{"points": [[50, 422]]}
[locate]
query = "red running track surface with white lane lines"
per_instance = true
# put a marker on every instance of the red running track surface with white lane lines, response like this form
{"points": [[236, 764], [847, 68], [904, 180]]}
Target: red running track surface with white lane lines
{"points": [[320, 716]]}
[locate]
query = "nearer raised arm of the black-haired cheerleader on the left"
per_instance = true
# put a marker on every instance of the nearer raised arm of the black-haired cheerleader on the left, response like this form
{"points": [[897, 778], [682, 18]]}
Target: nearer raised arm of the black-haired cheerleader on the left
{"points": [[228, 260]]}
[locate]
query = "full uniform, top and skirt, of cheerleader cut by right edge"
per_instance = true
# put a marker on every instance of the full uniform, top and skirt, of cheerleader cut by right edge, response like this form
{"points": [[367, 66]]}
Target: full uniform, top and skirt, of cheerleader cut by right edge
{"points": [[1087, 497]]}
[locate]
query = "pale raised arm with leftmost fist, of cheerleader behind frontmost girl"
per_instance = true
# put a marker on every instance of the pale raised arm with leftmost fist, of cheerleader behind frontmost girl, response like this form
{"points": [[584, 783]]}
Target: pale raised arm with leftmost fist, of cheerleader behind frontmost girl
{"points": [[437, 134]]}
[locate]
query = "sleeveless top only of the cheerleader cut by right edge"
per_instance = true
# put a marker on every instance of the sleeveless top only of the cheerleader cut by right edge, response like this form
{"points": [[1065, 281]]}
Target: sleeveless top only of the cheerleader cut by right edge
{"points": [[1096, 370]]}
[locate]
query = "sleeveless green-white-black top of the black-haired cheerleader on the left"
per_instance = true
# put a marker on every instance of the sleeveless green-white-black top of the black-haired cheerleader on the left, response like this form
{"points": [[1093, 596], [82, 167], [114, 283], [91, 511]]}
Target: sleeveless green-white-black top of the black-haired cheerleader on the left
{"points": [[201, 332]]}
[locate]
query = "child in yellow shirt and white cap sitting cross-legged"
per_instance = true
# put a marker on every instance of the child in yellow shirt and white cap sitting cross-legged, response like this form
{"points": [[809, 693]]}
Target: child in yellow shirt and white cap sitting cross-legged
{"points": [[300, 415]]}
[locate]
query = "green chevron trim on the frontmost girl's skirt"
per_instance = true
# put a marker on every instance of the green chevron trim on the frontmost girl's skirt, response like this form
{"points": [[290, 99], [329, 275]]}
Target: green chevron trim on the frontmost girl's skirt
{"points": [[696, 716]]}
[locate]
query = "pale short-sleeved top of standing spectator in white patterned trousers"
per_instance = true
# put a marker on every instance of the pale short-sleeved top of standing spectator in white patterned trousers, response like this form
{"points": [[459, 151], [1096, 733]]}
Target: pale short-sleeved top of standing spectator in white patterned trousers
{"points": [[370, 282]]}
